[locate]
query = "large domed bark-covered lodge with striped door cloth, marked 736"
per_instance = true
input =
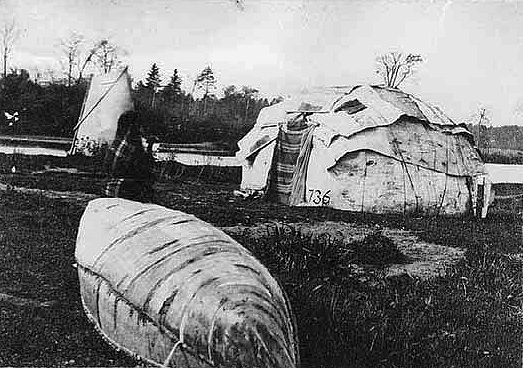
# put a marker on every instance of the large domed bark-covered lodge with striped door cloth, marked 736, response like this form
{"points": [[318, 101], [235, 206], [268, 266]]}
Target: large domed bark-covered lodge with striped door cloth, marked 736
{"points": [[365, 148]]}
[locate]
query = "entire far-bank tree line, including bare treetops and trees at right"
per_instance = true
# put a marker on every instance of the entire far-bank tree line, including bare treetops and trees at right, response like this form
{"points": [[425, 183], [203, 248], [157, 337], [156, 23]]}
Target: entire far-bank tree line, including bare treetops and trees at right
{"points": [[173, 114]]}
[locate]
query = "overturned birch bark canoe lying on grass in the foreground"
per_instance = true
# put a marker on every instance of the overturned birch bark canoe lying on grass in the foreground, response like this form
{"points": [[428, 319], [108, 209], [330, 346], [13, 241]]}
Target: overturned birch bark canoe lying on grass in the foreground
{"points": [[173, 290]]}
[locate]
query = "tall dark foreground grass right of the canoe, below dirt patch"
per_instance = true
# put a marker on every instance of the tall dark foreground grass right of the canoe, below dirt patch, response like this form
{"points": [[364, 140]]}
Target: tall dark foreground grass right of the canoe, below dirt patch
{"points": [[471, 318]]}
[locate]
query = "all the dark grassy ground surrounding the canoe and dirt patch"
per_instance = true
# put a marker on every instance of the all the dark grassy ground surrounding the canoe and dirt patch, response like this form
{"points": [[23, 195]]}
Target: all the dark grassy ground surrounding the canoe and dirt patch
{"points": [[472, 317]]}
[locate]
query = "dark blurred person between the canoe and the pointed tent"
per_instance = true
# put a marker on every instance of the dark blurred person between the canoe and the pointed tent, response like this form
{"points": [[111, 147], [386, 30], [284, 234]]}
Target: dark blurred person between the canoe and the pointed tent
{"points": [[128, 165]]}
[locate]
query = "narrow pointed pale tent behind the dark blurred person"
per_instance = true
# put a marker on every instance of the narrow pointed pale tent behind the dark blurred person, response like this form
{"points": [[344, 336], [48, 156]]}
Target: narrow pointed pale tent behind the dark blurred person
{"points": [[107, 97]]}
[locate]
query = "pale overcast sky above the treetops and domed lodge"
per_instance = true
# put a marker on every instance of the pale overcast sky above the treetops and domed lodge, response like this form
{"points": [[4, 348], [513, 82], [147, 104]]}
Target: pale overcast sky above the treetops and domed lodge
{"points": [[472, 50]]}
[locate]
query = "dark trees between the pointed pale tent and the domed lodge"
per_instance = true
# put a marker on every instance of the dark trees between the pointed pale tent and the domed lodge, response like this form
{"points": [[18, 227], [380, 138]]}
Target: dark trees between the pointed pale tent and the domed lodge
{"points": [[175, 115]]}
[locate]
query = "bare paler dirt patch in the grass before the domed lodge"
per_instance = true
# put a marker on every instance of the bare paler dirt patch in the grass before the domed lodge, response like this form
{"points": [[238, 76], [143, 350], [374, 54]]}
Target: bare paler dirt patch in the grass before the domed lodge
{"points": [[423, 260]]}
